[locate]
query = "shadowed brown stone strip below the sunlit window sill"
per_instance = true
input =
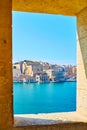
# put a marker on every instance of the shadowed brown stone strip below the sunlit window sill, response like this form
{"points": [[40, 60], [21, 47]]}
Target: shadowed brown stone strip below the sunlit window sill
{"points": [[66, 126]]}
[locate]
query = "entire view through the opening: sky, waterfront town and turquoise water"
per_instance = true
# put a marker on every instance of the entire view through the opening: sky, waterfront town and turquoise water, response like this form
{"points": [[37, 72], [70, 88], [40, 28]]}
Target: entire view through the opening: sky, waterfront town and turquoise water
{"points": [[44, 63]]}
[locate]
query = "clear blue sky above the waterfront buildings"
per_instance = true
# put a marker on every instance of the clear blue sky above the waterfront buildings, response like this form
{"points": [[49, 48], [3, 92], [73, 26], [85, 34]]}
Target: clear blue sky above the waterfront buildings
{"points": [[44, 37]]}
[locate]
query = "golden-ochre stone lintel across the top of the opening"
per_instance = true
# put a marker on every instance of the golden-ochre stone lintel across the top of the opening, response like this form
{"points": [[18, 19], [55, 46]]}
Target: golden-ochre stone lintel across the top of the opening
{"points": [[65, 7]]}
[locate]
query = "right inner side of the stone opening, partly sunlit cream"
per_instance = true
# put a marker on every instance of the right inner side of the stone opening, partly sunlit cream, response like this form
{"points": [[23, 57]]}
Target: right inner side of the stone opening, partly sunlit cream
{"points": [[82, 62]]}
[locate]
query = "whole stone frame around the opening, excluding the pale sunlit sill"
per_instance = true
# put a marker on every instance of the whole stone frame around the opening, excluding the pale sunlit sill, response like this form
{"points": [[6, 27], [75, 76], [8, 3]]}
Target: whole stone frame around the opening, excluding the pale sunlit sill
{"points": [[66, 7]]}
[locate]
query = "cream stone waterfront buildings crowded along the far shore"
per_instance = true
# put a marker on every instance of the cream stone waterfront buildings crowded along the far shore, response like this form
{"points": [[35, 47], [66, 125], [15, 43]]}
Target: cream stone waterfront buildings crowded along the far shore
{"points": [[42, 72]]}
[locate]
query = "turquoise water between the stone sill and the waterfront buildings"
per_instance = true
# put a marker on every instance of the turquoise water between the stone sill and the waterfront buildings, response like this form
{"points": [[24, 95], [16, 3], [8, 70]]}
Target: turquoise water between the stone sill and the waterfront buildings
{"points": [[44, 98]]}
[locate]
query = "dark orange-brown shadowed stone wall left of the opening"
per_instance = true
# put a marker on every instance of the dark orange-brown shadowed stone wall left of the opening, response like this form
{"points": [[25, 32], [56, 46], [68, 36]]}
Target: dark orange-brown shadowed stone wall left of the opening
{"points": [[6, 103]]}
